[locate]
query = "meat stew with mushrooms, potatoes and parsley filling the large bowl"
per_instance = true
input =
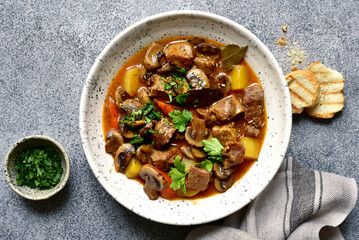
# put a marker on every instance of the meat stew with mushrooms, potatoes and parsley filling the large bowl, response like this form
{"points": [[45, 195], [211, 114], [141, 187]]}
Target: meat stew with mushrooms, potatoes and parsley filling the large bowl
{"points": [[180, 121]]}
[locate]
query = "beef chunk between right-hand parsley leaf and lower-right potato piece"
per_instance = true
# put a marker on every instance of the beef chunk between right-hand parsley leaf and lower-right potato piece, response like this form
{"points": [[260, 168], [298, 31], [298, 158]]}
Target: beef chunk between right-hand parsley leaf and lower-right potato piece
{"points": [[234, 154]]}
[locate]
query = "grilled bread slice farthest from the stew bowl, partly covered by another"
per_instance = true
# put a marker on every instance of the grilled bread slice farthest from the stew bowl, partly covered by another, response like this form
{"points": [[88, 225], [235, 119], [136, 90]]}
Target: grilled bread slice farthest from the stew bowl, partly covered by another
{"points": [[331, 98]]}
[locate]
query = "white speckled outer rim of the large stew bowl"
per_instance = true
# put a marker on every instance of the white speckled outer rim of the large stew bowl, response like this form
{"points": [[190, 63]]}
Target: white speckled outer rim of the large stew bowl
{"points": [[97, 66]]}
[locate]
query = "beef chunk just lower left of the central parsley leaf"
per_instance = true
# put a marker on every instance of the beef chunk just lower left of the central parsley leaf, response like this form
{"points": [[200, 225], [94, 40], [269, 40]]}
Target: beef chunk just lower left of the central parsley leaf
{"points": [[163, 133]]}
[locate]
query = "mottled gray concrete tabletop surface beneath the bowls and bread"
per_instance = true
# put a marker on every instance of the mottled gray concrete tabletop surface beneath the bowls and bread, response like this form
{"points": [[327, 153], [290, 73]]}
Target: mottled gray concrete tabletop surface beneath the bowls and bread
{"points": [[47, 50]]}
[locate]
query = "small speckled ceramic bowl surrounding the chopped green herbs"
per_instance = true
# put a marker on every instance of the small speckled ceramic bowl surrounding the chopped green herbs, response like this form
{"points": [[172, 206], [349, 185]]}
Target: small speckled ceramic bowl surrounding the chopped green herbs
{"points": [[28, 143]]}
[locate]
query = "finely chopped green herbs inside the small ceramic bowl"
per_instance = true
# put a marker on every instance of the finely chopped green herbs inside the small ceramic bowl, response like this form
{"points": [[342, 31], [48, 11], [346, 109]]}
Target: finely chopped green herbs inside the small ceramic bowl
{"points": [[39, 167]]}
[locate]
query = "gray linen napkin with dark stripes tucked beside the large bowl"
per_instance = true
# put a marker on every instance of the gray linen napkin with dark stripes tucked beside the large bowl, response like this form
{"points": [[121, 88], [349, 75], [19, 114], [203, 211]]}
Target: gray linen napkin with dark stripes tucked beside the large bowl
{"points": [[298, 204]]}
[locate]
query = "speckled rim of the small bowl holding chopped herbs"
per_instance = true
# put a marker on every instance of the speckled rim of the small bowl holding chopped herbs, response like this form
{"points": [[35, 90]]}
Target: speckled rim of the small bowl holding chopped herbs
{"points": [[58, 187]]}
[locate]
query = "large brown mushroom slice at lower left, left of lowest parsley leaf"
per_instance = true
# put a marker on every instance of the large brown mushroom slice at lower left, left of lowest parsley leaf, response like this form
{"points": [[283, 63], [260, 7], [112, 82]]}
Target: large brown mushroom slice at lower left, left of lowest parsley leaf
{"points": [[149, 173]]}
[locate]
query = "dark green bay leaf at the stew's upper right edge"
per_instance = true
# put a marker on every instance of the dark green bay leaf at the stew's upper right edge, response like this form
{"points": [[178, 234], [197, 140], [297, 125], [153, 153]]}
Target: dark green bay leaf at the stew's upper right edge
{"points": [[231, 55]]}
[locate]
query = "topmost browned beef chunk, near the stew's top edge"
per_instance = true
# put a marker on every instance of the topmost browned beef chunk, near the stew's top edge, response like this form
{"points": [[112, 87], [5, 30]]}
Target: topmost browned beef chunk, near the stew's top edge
{"points": [[179, 53]]}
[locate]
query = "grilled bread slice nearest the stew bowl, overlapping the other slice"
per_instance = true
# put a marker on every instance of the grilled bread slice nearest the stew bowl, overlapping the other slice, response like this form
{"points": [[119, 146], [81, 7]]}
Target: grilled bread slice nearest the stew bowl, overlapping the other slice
{"points": [[303, 88]]}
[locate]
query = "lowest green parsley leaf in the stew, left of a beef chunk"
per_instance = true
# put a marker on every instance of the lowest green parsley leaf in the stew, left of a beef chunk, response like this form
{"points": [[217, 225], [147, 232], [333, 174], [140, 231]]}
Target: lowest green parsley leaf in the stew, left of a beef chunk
{"points": [[178, 175]]}
